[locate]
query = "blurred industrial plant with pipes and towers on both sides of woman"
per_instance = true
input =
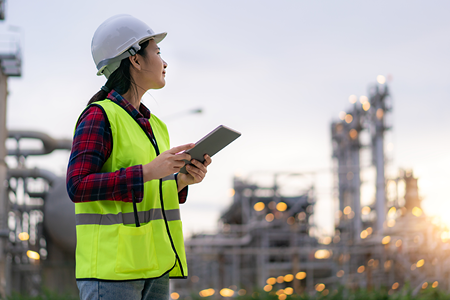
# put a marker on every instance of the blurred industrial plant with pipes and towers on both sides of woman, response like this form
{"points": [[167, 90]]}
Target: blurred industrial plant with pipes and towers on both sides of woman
{"points": [[267, 239]]}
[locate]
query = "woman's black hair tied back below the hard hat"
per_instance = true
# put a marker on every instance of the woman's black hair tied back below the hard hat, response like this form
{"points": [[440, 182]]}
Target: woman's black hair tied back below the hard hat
{"points": [[120, 80]]}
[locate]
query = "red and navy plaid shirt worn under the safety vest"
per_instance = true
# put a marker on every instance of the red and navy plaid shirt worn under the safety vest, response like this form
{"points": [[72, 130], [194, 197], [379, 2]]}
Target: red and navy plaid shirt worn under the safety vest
{"points": [[91, 147]]}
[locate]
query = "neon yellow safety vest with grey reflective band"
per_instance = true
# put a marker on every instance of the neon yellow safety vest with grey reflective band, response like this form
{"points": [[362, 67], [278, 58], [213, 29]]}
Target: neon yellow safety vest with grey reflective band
{"points": [[109, 245]]}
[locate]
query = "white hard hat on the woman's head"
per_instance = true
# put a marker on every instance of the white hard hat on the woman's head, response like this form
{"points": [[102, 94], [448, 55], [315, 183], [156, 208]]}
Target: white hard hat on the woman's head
{"points": [[117, 38]]}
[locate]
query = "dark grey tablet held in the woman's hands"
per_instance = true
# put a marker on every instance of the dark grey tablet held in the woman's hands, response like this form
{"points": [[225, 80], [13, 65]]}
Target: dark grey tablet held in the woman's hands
{"points": [[211, 143]]}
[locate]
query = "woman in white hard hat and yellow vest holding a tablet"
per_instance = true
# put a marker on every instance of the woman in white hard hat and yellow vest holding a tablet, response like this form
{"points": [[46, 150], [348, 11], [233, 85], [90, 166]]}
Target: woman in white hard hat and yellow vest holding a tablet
{"points": [[122, 174]]}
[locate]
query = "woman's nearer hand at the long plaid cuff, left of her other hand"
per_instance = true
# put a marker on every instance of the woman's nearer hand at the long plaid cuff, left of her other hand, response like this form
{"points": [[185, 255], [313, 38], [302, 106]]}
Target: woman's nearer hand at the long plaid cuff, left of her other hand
{"points": [[167, 163]]}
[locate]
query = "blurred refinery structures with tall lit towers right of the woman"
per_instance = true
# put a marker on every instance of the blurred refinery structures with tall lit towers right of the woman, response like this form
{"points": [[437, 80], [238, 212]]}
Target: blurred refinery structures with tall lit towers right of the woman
{"points": [[267, 241]]}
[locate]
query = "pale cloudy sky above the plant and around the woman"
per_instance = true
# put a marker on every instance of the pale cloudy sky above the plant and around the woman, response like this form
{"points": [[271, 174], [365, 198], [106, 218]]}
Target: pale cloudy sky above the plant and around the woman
{"points": [[277, 71]]}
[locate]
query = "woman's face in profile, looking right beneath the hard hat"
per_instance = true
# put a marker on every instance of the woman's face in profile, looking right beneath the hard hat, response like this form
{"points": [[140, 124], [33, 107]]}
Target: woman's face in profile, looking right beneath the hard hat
{"points": [[153, 67]]}
